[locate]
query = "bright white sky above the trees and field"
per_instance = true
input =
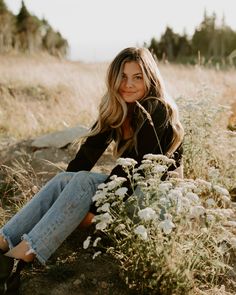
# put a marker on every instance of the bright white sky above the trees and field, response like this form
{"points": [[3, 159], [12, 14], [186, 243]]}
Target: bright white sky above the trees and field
{"points": [[98, 29]]}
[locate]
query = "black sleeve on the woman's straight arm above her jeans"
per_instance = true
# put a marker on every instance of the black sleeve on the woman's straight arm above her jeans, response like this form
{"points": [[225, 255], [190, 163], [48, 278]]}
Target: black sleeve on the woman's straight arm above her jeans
{"points": [[90, 151]]}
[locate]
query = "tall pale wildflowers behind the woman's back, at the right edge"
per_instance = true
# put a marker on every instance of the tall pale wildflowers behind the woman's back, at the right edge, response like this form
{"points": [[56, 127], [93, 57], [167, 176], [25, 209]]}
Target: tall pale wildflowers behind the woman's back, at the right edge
{"points": [[209, 149]]}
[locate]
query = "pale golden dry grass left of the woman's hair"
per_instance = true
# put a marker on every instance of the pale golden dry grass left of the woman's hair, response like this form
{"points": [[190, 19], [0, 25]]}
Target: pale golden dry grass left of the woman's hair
{"points": [[40, 94]]}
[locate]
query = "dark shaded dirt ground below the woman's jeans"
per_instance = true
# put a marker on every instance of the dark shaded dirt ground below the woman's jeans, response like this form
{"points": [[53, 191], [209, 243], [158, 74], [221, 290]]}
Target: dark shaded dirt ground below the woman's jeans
{"points": [[72, 270]]}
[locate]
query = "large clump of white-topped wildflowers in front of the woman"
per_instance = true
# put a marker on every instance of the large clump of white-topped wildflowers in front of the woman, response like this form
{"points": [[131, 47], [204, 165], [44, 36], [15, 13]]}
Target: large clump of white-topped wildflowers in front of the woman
{"points": [[170, 236]]}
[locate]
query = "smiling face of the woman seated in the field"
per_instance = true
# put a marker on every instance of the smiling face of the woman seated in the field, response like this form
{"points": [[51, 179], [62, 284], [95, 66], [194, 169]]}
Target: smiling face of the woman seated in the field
{"points": [[132, 85]]}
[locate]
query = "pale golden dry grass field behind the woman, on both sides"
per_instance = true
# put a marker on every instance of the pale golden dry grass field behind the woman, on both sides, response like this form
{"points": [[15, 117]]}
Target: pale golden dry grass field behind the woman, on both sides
{"points": [[42, 93]]}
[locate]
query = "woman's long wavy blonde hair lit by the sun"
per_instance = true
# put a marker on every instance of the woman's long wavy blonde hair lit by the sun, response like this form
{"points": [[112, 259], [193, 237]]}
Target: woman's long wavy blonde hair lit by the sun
{"points": [[113, 110]]}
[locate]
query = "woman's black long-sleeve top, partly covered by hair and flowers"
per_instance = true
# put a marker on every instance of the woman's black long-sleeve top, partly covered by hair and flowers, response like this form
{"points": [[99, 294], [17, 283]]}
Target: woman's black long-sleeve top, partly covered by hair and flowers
{"points": [[94, 146]]}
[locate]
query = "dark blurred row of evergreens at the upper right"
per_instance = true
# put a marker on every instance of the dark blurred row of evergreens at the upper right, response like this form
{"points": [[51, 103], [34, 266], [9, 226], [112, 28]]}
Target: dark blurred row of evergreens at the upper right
{"points": [[212, 43]]}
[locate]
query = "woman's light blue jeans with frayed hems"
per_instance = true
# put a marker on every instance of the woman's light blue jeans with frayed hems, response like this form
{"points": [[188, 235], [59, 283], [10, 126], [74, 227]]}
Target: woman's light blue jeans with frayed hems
{"points": [[53, 213]]}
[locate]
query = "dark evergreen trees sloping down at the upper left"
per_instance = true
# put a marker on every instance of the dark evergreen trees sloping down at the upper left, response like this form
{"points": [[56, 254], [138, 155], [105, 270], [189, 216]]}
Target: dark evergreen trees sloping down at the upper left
{"points": [[25, 32]]}
